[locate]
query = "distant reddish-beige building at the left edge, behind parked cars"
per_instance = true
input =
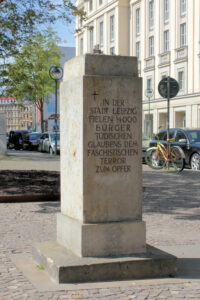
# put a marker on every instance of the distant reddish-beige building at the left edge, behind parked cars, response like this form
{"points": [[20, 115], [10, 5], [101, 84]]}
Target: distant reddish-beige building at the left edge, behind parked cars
{"points": [[18, 115]]}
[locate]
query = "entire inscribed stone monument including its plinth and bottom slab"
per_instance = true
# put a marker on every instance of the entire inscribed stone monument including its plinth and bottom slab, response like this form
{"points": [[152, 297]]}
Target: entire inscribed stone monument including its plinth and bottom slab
{"points": [[100, 231]]}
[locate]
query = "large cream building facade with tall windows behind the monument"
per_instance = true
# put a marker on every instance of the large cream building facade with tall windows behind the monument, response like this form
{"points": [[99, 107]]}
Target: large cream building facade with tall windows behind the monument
{"points": [[165, 36]]}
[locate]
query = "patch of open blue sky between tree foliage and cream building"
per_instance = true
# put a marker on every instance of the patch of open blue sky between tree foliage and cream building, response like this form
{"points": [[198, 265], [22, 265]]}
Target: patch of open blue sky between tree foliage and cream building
{"points": [[66, 33]]}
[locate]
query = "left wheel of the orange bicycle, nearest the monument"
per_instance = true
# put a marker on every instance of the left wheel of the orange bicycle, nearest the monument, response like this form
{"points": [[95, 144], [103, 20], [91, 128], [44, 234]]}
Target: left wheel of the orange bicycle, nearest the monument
{"points": [[154, 158]]}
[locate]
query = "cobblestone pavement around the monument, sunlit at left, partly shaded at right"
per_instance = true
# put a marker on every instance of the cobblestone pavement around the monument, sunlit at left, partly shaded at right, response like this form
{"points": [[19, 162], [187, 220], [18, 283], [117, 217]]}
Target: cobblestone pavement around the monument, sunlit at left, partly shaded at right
{"points": [[172, 214]]}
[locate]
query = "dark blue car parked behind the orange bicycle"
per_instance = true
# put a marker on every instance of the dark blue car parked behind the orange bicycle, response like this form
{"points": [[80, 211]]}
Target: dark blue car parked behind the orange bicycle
{"points": [[187, 139]]}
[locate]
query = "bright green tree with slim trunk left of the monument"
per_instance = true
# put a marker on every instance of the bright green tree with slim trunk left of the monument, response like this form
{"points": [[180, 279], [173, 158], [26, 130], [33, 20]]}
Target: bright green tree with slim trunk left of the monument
{"points": [[28, 77]]}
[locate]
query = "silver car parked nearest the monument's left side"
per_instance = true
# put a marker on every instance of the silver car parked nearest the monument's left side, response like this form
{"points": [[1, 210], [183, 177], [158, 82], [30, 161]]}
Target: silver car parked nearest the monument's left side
{"points": [[47, 142]]}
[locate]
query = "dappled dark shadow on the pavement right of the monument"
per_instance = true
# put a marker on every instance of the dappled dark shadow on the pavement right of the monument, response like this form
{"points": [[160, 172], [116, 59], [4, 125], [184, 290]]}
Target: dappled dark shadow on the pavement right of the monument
{"points": [[172, 193]]}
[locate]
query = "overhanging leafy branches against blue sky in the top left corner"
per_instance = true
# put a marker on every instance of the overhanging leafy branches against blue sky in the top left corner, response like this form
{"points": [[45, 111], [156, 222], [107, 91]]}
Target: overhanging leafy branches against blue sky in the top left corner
{"points": [[20, 20]]}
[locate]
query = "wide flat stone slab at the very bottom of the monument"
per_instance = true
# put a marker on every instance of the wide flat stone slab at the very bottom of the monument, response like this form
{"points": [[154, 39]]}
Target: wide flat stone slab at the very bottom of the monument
{"points": [[65, 267]]}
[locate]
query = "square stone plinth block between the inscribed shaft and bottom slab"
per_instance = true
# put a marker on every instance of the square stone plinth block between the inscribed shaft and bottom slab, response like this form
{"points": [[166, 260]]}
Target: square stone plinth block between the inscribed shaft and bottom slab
{"points": [[101, 239]]}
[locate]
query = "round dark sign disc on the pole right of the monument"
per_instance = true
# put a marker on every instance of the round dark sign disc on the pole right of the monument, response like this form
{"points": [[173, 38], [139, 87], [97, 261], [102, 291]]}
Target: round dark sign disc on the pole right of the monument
{"points": [[173, 87]]}
